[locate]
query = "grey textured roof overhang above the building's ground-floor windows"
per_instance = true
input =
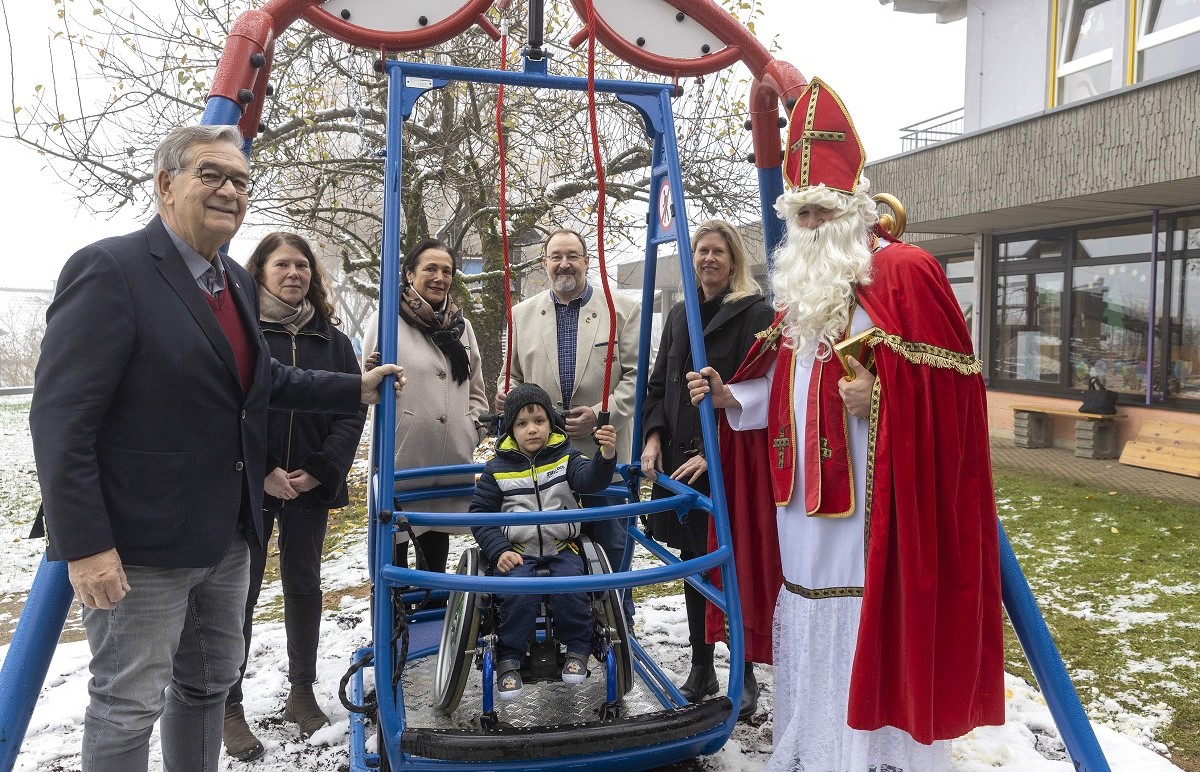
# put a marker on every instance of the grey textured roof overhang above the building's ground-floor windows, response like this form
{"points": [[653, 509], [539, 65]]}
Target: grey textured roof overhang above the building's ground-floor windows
{"points": [[1123, 155]]}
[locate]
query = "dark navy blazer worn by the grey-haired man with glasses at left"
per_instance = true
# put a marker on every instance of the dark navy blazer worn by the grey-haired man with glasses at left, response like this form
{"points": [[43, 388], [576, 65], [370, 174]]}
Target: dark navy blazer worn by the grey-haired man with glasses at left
{"points": [[143, 438]]}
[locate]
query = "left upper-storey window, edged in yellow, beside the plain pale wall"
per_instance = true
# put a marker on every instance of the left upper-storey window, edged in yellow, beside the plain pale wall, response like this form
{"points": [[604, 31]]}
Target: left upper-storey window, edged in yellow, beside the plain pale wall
{"points": [[1089, 35]]}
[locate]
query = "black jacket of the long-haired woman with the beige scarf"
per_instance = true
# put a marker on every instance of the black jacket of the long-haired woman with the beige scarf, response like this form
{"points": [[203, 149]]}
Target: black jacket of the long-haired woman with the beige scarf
{"points": [[323, 445]]}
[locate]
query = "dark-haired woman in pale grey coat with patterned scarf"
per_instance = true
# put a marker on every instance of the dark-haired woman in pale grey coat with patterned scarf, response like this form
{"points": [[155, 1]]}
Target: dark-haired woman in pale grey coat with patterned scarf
{"points": [[439, 415]]}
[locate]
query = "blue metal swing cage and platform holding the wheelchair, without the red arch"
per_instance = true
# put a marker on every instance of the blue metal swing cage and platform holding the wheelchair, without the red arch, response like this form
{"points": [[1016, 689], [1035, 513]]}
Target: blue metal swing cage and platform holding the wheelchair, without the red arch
{"points": [[643, 731]]}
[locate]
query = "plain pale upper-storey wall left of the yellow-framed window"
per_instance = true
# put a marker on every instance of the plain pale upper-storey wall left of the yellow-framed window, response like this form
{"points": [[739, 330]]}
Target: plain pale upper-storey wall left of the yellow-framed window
{"points": [[1007, 62]]}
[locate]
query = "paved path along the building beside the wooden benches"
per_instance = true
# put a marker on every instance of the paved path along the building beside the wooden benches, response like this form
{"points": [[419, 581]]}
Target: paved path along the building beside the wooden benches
{"points": [[1105, 475]]}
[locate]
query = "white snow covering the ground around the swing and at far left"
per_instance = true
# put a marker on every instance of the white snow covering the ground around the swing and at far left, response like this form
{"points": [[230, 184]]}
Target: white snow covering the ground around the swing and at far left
{"points": [[1029, 743]]}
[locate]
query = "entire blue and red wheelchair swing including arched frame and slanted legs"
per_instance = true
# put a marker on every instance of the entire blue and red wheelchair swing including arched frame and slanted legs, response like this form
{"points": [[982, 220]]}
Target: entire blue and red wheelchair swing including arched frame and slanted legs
{"points": [[643, 722]]}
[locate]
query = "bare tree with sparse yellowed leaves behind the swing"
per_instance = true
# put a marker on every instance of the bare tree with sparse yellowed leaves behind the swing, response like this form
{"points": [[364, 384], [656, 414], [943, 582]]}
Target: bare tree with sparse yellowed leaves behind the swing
{"points": [[317, 164]]}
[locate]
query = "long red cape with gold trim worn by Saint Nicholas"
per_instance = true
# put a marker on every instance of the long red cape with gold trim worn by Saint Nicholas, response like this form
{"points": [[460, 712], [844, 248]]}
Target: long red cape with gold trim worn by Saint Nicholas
{"points": [[931, 651]]}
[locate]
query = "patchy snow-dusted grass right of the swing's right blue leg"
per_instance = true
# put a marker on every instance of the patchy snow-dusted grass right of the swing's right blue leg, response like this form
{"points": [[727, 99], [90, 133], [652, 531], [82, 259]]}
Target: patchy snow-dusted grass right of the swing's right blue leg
{"points": [[1117, 578]]}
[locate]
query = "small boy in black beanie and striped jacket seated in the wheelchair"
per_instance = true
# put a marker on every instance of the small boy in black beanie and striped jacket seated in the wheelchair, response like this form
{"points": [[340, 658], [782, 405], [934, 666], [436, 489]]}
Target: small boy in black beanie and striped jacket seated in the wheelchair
{"points": [[537, 470]]}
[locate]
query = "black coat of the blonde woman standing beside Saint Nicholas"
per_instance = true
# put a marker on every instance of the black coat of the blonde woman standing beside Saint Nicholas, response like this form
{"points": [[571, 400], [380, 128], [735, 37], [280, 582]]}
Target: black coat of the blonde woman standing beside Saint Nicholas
{"points": [[669, 410]]}
